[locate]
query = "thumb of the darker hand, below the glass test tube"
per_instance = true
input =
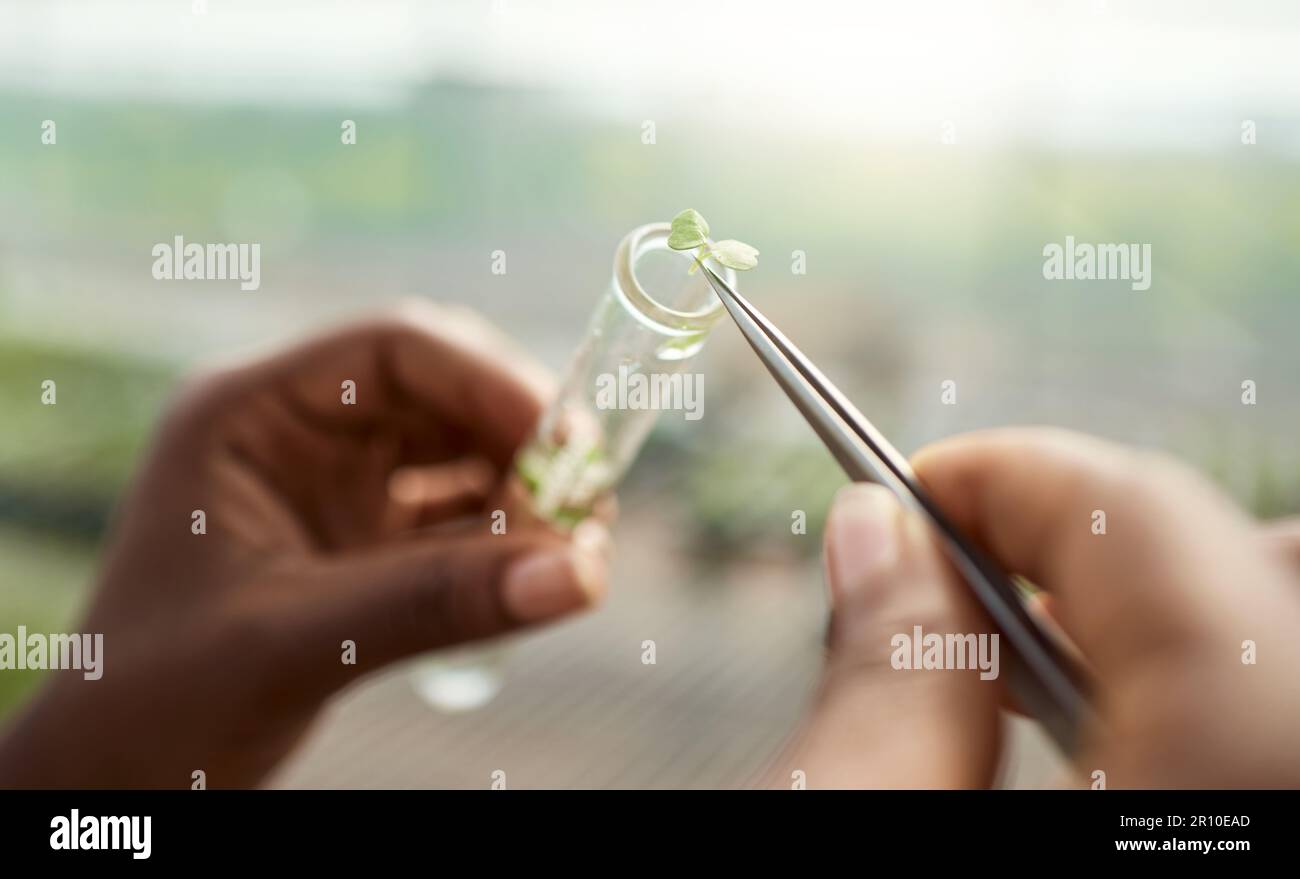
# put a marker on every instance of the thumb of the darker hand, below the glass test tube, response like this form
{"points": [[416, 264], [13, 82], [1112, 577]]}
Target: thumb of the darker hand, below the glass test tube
{"points": [[422, 596]]}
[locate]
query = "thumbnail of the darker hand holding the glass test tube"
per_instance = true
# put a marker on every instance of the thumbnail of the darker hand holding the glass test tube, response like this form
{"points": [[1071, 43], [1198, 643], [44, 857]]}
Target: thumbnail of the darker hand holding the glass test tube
{"points": [[551, 583]]}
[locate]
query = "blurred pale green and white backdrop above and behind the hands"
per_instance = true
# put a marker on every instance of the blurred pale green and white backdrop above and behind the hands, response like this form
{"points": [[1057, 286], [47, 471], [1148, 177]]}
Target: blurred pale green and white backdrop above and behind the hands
{"points": [[924, 258]]}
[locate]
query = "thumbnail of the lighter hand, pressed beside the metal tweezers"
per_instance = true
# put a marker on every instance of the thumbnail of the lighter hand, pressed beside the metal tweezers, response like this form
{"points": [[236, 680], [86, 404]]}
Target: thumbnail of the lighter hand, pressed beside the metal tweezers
{"points": [[863, 538]]}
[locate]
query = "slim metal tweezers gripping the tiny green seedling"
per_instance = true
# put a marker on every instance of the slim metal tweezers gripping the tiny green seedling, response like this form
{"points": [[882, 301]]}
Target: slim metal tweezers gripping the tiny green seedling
{"points": [[1045, 678]]}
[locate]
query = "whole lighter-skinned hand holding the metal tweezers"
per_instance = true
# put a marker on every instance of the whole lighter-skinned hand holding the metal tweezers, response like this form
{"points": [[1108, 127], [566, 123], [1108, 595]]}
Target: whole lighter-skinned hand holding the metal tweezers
{"points": [[1160, 607]]}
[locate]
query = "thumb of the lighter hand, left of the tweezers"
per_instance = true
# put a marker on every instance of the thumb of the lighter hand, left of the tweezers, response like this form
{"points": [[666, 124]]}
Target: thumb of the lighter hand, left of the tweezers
{"points": [[877, 725]]}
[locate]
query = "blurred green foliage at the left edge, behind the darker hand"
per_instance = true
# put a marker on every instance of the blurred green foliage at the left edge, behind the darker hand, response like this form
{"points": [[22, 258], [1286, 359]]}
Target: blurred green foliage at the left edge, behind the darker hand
{"points": [[62, 467]]}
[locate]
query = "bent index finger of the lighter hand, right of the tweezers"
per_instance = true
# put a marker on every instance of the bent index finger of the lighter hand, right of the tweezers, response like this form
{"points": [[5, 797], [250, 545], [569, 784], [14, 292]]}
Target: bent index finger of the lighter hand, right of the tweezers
{"points": [[1150, 578]]}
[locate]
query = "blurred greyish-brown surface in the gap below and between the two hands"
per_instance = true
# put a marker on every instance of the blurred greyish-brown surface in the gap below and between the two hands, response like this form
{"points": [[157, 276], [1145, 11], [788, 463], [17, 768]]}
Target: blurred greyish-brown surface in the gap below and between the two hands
{"points": [[738, 653]]}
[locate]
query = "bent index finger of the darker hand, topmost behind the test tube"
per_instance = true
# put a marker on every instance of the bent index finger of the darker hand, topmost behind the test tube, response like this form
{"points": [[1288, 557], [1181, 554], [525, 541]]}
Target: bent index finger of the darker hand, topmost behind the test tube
{"points": [[421, 367]]}
